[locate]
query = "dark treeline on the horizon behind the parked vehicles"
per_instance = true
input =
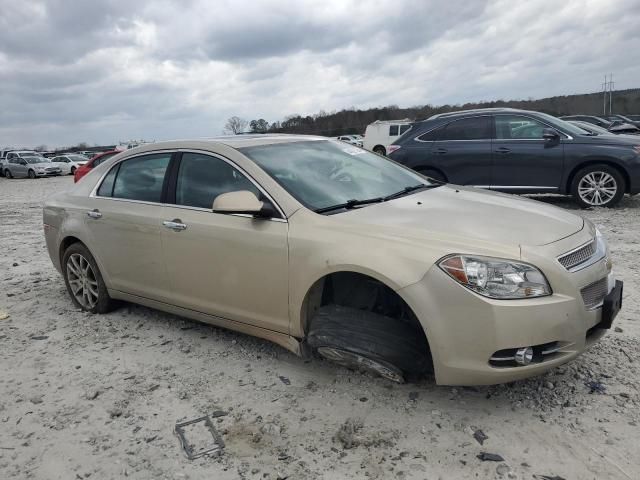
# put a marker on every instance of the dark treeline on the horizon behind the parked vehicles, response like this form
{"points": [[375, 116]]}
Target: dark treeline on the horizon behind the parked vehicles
{"points": [[352, 120]]}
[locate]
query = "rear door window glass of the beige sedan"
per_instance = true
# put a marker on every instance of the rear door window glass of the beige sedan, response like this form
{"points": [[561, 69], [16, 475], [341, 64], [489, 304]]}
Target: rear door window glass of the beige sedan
{"points": [[139, 178]]}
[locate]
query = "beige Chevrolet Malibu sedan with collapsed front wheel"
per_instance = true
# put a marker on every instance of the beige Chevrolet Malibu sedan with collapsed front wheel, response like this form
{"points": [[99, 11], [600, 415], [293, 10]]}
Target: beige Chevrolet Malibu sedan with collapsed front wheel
{"points": [[321, 246]]}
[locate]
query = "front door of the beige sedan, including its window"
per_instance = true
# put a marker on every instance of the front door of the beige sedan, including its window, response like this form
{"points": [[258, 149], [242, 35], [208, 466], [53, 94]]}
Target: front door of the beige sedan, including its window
{"points": [[227, 265]]}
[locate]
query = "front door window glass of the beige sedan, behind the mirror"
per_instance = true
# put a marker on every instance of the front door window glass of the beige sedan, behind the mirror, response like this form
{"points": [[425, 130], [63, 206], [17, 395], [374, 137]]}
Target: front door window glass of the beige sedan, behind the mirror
{"points": [[201, 178]]}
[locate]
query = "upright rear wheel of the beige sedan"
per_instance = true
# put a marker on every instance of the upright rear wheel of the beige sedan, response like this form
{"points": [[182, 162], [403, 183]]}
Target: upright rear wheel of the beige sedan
{"points": [[84, 281]]}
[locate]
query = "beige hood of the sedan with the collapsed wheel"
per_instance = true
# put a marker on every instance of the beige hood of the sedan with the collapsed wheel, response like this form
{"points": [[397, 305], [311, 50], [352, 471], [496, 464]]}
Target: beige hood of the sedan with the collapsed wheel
{"points": [[466, 213]]}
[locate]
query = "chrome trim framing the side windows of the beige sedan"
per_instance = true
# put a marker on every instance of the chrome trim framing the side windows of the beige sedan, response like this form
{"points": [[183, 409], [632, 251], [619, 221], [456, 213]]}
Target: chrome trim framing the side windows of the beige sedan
{"points": [[94, 191]]}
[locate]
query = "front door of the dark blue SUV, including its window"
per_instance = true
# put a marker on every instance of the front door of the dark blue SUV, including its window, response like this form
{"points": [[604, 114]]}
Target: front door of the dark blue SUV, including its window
{"points": [[522, 159]]}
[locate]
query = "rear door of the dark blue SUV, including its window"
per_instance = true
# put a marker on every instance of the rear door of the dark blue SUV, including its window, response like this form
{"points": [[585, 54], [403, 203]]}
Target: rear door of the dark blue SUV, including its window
{"points": [[462, 151]]}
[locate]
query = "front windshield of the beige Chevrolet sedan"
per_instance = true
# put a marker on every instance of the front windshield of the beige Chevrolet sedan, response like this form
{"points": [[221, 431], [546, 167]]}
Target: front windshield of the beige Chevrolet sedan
{"points": [[321, 174]]}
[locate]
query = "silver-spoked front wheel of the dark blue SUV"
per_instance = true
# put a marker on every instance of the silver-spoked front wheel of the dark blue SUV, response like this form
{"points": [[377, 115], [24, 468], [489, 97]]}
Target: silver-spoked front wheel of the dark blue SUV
{"points": [[598, 186]]}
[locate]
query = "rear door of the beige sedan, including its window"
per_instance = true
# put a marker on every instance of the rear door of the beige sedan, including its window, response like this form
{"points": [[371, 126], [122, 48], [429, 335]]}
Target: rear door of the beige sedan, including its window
{"points": [[124, 219]]}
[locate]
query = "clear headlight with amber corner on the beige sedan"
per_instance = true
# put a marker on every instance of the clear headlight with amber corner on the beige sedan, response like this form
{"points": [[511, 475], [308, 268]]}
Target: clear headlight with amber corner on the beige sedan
{"points": [[496, 277]]}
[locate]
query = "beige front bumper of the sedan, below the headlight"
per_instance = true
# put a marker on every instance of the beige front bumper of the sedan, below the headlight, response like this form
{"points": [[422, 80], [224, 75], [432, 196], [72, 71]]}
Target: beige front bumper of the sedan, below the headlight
{"points": [[465, 330]]}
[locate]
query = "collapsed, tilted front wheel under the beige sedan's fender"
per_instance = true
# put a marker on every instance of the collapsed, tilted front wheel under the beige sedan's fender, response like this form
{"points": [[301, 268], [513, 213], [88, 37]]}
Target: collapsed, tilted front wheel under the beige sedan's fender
{"points": [[364, 340]]}
